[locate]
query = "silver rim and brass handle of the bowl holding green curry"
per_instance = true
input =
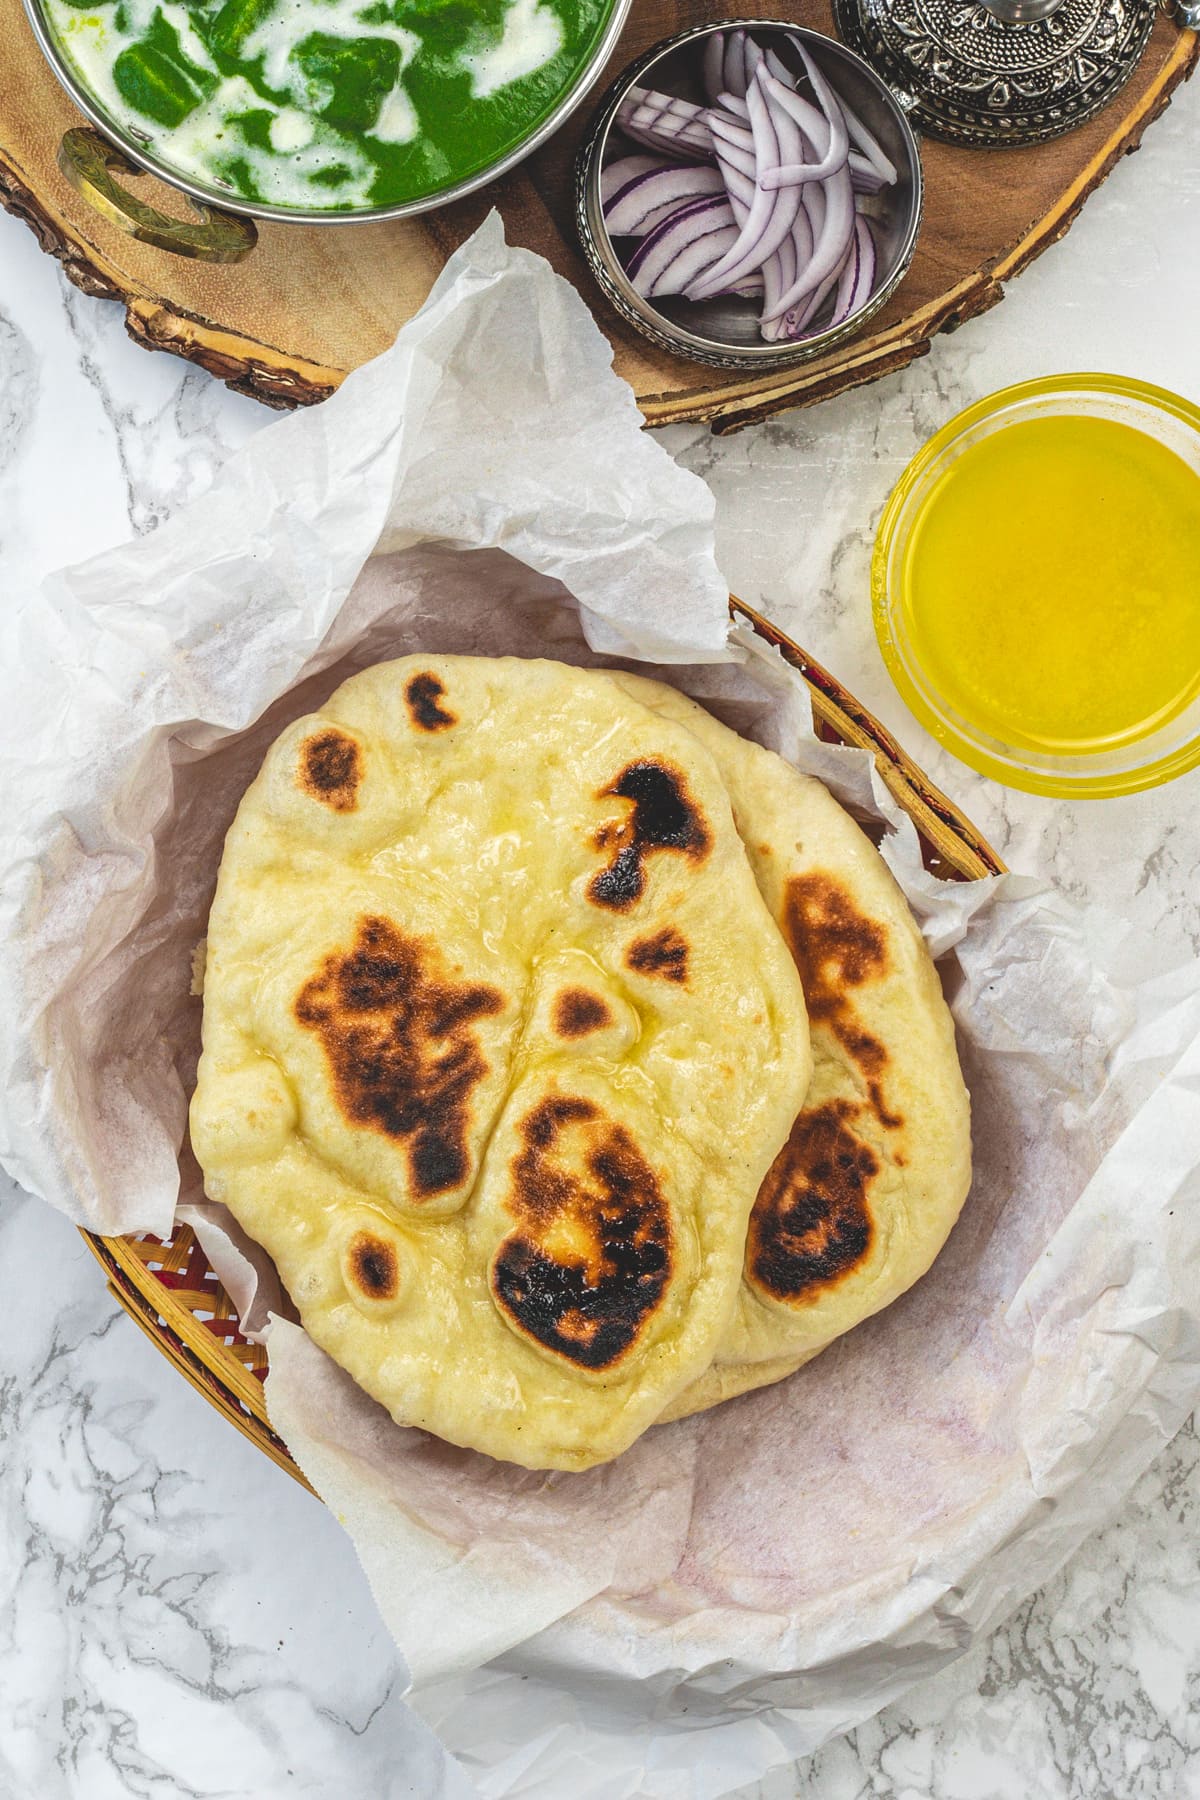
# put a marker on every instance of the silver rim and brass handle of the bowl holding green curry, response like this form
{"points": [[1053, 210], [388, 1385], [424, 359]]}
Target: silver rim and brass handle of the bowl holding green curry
{"points": [[93, 159]]}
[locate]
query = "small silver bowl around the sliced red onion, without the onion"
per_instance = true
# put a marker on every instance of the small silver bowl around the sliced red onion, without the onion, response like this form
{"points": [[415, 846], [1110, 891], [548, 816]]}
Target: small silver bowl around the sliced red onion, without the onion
{"points": [[724, 332]]}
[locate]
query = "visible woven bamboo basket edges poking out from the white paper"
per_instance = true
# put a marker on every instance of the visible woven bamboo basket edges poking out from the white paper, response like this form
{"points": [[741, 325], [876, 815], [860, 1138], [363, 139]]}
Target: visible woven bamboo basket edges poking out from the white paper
{"points": [[168, 1286]]}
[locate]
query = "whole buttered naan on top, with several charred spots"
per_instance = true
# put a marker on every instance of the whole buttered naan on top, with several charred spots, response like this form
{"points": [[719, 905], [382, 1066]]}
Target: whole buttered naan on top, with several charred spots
{"points": [[499, 1045]]}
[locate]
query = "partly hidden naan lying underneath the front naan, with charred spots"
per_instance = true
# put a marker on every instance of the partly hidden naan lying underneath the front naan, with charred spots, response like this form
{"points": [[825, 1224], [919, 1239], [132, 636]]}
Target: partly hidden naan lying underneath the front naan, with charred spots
{"points": [[879, 1162]]}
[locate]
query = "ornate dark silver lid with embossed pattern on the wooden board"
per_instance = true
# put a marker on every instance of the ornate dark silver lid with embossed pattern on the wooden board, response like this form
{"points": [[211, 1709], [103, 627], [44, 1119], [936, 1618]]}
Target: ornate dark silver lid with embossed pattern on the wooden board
{"points": [[999, 73]]}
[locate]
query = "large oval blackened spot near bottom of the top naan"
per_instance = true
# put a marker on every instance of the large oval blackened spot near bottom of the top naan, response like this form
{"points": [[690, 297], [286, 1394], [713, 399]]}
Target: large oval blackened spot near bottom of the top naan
{"points": [[593, 1254]]}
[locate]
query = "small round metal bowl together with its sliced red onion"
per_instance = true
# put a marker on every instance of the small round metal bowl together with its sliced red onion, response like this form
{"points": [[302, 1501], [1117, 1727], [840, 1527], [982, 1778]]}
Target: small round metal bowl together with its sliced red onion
{"points": [[683, 76]]}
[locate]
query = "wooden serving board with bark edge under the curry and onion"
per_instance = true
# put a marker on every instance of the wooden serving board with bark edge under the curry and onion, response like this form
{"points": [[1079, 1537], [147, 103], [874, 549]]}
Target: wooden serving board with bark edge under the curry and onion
{"points": [[312, 303]]}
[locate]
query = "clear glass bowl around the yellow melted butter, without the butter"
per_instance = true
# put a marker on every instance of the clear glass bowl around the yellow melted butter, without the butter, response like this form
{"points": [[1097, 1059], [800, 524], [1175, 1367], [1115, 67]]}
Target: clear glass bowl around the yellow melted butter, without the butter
{"points": [[1109, 769]]}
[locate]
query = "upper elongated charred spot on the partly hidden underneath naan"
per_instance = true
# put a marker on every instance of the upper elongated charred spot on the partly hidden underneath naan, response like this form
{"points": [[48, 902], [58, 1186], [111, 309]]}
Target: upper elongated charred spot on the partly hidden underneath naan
{"points": [[839, 949]]}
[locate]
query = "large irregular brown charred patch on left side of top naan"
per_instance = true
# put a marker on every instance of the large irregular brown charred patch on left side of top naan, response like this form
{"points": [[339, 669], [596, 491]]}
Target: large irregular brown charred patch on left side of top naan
{"points": [[397, 1032]]}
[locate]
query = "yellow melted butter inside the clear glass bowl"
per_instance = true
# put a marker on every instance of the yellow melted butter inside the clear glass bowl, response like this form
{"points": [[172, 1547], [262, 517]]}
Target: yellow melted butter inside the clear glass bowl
{"points": [[1052, 586]]}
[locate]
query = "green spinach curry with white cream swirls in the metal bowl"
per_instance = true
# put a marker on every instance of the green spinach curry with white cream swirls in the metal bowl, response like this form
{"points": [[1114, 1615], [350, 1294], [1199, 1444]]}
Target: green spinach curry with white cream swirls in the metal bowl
{"points": [[328, 105]]}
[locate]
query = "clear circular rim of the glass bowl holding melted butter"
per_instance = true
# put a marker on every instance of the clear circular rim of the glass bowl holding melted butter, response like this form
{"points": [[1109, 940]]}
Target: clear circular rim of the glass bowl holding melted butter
{"points": [[1017, 769]]}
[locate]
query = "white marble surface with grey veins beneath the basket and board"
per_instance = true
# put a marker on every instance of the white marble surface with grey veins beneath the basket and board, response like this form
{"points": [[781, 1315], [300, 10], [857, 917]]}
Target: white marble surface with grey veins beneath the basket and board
{"points": [[148, 1644]]}
